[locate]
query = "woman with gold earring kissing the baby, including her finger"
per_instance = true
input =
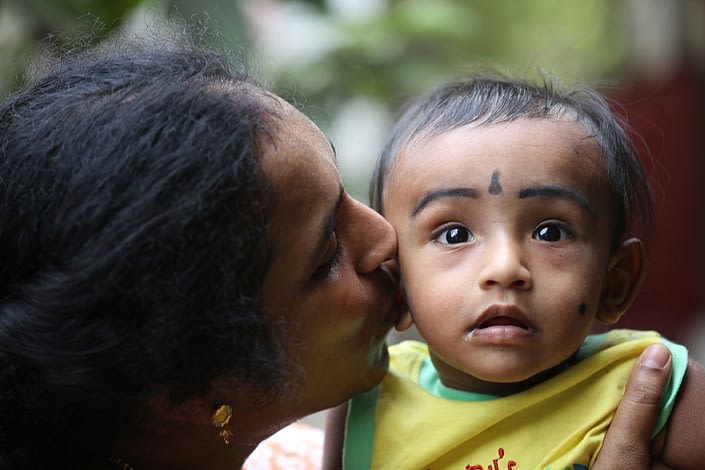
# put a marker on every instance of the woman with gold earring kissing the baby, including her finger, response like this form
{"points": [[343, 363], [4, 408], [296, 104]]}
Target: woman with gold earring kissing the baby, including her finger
{"points": [[182, 271]]}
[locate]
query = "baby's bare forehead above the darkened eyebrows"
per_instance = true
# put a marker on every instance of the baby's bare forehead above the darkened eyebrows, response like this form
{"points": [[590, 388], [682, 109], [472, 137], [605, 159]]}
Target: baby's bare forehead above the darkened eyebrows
{"points": [[519, 148]]}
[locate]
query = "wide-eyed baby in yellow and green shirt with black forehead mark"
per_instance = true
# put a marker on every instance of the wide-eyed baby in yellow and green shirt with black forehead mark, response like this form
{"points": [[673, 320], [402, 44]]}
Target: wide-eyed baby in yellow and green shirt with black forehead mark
{"points": [[516, 206]]}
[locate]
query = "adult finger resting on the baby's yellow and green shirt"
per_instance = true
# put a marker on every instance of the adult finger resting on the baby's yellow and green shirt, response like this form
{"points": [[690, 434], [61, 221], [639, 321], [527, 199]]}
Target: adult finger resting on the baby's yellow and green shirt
{"points": [[628, 440]]}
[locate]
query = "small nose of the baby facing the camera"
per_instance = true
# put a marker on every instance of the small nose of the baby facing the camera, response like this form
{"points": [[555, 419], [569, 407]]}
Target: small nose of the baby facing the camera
{"points": [[504, 265]]}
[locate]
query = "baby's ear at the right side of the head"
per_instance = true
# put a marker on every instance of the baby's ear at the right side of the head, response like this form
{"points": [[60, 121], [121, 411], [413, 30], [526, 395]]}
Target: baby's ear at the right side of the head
{"points": [[626, 272]]}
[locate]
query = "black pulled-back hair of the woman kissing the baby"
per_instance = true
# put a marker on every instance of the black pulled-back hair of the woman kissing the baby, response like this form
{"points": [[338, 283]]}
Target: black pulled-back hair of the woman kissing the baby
{"points": [[133, 244]]}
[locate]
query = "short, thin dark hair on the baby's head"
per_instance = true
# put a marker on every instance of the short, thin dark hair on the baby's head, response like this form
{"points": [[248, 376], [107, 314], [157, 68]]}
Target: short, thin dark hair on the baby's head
{"points": [[487, 98]]}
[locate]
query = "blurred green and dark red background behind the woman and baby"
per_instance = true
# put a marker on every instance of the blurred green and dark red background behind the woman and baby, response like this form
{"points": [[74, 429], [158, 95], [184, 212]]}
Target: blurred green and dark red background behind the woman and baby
{"points": [[350, 65]]}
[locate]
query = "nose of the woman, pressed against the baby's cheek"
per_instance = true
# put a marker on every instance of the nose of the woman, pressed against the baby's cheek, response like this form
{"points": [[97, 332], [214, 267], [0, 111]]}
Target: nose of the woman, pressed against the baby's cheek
{"points": [[372, 240]]}
